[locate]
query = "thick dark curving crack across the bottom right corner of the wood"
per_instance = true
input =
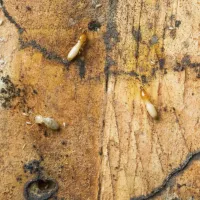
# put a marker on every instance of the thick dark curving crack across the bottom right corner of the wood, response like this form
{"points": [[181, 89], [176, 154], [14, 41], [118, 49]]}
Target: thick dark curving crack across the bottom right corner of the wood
{"points": [[190, 157]]}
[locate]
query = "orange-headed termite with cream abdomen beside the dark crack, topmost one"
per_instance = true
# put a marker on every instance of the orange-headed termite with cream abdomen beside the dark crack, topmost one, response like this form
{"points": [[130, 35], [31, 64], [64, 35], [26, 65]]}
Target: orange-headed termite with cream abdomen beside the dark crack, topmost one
{"points": [[77, 47]]}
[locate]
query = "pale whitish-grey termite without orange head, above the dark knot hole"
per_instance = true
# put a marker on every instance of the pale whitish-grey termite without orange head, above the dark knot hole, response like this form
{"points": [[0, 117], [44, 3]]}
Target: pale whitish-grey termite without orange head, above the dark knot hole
{"points": [[49, 122]]}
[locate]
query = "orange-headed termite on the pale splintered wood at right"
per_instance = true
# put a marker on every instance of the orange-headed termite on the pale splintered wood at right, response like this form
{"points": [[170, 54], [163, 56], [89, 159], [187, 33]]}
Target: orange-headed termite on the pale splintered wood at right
{"points": [[149, 106]]}
